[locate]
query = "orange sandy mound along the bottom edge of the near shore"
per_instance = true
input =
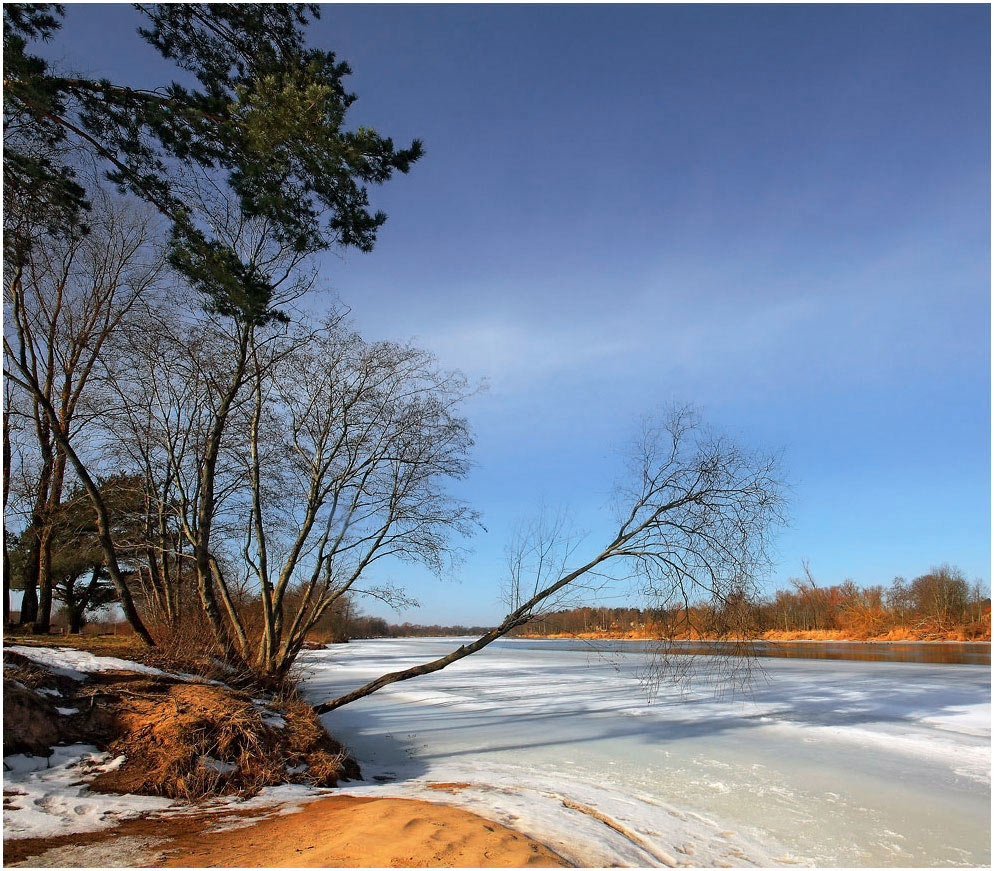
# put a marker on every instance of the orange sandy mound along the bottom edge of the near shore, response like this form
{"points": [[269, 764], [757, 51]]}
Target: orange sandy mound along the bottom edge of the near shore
{"points": [[333, 832]]}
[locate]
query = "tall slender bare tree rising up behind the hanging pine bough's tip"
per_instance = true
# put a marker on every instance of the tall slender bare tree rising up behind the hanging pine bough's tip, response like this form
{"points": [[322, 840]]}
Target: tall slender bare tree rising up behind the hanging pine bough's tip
{"points": [[191, 370]]}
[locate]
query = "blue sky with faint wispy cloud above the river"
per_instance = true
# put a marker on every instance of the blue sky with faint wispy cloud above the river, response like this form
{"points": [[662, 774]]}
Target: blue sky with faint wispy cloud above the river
{"points": [[780, 213]]}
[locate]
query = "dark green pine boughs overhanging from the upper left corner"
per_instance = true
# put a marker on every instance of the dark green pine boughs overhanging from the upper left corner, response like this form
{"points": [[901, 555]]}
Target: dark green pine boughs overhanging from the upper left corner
{"points": [[266, 117]]}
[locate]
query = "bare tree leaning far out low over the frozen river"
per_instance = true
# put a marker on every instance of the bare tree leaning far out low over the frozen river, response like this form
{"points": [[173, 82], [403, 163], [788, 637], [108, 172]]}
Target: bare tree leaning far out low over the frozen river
{"points": [[695, 514]]}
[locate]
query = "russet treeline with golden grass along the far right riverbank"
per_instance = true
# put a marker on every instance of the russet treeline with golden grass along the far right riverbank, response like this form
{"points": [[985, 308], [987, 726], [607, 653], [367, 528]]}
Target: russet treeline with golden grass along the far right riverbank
{"points": [[938, 604]]}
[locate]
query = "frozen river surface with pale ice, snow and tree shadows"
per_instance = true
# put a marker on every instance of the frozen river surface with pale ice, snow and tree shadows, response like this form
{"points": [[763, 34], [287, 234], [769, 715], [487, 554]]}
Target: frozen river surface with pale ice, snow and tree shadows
{"points": [[829, 763]]}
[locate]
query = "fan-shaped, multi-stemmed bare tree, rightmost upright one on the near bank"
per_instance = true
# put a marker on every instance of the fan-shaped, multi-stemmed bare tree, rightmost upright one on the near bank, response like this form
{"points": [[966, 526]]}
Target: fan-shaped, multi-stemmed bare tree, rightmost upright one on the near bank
{"points": [[350, 445]]}
